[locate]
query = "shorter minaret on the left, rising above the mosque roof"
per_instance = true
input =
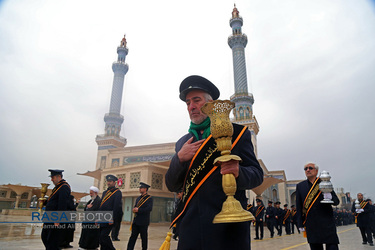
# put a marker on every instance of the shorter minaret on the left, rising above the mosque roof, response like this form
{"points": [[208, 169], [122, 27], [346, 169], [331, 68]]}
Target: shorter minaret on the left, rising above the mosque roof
{"points": [[113, 119]]}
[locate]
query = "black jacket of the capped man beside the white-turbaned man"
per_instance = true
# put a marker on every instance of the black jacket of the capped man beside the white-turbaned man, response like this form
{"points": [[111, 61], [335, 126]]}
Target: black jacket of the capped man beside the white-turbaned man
{"points": [[113, 203]]}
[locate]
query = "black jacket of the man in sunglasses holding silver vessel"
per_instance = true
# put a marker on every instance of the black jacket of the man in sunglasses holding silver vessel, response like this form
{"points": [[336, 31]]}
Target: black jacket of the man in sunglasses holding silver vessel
{"points": [[320, 223]]}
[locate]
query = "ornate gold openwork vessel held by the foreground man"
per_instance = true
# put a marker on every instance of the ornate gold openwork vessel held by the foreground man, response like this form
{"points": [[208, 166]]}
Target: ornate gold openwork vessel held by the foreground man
{"points": [[222, 131]]}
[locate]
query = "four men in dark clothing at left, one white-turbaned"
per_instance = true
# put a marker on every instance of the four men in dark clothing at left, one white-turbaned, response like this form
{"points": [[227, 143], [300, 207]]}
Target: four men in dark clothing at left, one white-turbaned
{"points": [[95, 234]]}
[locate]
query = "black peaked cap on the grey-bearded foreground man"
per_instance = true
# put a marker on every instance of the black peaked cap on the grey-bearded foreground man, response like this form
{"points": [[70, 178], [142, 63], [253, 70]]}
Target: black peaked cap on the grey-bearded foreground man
{"points": [[195, 82]]}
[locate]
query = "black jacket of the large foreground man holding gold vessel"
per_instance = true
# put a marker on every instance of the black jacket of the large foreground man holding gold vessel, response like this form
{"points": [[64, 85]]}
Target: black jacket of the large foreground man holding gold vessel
{"points": [[196, 228]]}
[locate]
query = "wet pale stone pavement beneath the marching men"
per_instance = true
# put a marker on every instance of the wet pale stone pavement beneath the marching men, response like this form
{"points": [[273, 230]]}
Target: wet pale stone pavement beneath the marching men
{"points": [[27, 236]]}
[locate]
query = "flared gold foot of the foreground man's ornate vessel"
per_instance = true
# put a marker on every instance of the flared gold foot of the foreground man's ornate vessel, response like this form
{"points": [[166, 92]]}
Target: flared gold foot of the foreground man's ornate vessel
{"points": [[232, 211]]}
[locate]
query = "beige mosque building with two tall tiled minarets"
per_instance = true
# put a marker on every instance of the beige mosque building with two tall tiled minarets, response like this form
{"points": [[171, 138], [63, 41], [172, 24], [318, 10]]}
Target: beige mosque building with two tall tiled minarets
{"points": [[149, 163]]}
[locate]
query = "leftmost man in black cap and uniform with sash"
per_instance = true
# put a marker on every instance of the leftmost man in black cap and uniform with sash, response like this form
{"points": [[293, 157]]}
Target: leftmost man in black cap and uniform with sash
{"points": [[57, 201]]}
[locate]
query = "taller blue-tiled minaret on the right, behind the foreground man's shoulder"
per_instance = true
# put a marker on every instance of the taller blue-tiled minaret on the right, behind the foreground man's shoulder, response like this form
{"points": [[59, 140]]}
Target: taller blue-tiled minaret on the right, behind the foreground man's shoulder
{"points": [[243, 112]]}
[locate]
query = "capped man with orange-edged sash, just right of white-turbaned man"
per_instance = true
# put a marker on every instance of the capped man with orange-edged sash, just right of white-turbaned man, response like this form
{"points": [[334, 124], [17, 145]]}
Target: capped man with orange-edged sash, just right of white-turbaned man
{"points": [[111, 201]]}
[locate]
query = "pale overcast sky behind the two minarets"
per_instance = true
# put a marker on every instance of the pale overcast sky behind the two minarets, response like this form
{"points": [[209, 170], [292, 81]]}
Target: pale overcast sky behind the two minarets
{"points": [[310, 67]]}
